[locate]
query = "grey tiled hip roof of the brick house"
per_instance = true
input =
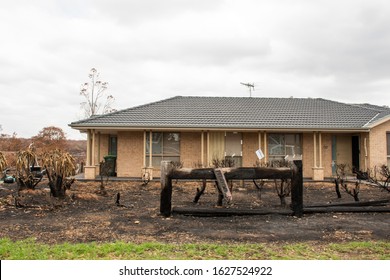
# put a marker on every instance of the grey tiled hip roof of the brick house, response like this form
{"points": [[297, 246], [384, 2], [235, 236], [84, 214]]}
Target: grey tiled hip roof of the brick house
{"points": [[241, 113]]}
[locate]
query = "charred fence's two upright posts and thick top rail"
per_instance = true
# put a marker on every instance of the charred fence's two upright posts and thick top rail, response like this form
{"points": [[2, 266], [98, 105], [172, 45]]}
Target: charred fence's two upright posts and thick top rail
{"points": [[168, 173]]}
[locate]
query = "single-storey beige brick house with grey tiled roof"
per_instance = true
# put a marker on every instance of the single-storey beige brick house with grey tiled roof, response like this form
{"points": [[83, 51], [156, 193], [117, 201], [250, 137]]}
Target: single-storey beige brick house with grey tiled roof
{"points": [[196, 130]]}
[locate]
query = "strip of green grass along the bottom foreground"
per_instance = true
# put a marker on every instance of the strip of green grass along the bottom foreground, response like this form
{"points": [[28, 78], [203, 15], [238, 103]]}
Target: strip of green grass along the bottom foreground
{"points": [[31, 250]]}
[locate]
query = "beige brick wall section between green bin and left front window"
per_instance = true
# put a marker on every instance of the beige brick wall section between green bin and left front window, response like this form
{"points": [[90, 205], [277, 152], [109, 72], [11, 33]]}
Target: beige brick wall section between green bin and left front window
{"points": [[130, 154]]}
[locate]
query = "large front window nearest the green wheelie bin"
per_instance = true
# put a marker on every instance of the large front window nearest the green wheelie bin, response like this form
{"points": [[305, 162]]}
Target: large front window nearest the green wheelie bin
{"points": [[165, 146]]}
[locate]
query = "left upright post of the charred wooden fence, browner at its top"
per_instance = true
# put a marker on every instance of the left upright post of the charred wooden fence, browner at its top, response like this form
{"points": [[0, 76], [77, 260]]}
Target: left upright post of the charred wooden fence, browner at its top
{"points": [[166, 188]]}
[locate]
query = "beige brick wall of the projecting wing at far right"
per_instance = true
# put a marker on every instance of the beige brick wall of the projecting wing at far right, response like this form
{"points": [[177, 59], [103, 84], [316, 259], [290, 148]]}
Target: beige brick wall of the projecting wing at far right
{"points": [[377, 145]]}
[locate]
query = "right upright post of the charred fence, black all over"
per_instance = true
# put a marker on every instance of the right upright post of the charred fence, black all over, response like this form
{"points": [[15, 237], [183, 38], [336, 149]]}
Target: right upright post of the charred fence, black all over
{"points": [[297, 189]]}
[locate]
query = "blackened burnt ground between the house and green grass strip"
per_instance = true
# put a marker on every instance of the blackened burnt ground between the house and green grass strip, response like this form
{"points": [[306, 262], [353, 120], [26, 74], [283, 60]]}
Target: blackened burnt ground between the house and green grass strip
{"points": [[86, 215]]}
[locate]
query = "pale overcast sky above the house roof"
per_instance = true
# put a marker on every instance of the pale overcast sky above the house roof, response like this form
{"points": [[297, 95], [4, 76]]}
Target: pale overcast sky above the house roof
{"points": [[148, 50]]}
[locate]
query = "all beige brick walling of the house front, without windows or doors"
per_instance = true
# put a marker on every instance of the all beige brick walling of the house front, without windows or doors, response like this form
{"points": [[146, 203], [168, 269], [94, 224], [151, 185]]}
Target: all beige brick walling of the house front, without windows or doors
{"points": [[131, 147]]}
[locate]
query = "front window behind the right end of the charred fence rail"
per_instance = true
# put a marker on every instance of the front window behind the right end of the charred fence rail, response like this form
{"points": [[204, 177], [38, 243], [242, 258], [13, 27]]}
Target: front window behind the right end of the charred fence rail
{"points": [[282, 145]]}
